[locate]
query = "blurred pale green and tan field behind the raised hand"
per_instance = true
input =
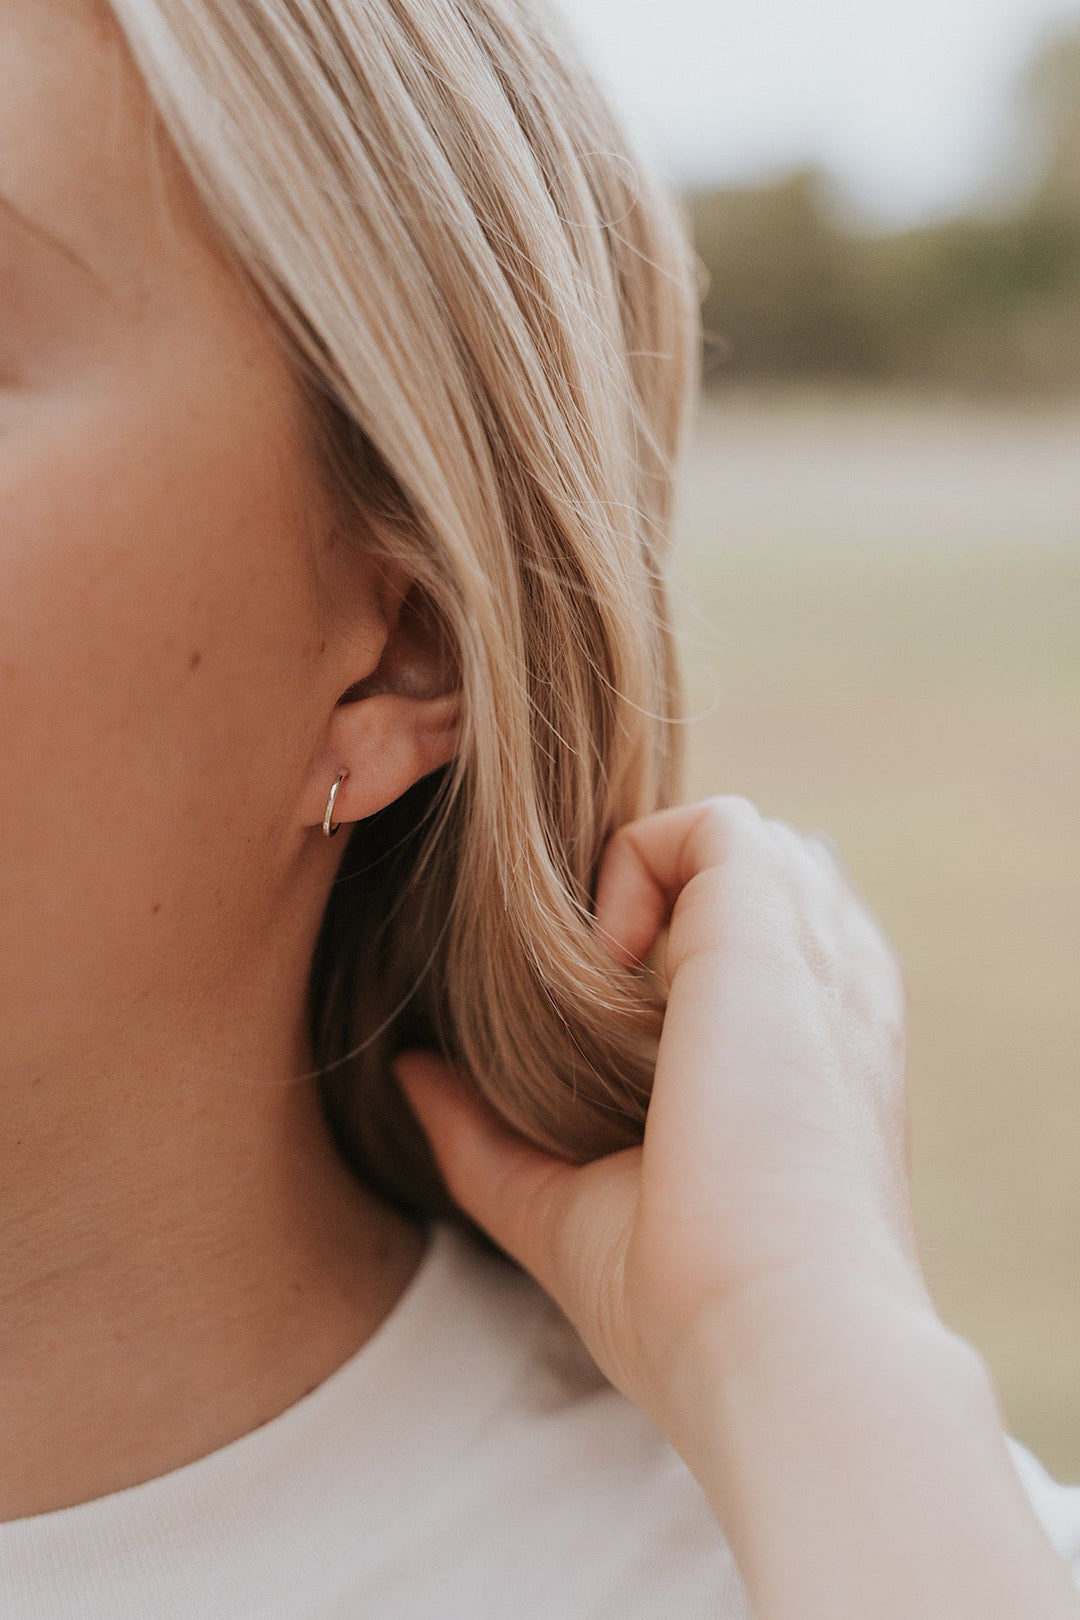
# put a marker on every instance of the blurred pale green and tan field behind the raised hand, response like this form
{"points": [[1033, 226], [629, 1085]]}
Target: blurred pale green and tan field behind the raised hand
{"points": [[882, 615]]}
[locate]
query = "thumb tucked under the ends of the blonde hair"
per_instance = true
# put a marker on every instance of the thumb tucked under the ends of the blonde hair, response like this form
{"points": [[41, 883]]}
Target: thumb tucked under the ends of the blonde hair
{"points": [[516, 1192]]}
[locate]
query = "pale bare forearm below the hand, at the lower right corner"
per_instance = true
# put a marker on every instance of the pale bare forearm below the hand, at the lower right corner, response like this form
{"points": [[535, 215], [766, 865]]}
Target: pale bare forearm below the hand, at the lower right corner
{"points": [[856, 1457]]}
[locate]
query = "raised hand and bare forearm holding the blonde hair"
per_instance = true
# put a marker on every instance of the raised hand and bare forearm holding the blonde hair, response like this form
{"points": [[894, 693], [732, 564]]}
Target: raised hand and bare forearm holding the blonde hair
{"points": [[750, 1274]]}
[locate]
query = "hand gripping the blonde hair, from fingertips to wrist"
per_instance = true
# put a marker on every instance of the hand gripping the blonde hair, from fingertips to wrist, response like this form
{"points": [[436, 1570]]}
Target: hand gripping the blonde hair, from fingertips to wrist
{"points": [[776, 1140]]}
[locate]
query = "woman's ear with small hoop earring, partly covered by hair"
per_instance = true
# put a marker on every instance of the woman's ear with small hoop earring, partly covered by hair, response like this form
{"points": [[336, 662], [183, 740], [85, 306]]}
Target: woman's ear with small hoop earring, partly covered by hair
{"points": [[394, 725]]}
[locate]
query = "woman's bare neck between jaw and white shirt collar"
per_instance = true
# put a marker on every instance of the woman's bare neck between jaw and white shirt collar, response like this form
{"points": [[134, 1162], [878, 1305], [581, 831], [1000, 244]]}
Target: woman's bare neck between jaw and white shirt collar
{"points": [[182, 1255]]}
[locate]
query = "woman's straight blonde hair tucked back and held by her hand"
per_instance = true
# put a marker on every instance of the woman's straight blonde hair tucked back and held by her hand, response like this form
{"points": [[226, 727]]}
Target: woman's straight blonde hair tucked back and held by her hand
{"points": [[495, 310]]}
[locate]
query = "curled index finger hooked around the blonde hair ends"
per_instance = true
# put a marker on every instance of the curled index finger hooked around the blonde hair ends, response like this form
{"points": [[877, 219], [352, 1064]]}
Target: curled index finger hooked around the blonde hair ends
{"points": [[648, 863]]}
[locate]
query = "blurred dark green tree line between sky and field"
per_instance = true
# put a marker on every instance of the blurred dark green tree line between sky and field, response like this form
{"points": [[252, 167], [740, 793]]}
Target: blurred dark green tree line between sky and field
{"points": [[979, 304]]}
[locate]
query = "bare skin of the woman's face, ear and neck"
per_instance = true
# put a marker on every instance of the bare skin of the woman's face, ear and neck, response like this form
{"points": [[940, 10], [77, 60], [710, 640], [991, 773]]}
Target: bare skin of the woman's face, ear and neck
{"points": [[182, 1253]]}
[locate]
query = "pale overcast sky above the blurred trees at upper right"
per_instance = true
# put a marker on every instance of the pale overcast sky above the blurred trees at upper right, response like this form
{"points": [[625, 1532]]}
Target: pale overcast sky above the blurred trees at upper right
{"points": [[908, 103]]}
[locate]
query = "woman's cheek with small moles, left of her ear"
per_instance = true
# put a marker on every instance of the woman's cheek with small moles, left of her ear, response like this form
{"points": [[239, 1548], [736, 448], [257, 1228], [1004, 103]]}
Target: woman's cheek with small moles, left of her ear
{"points": [[158, 621]]}
